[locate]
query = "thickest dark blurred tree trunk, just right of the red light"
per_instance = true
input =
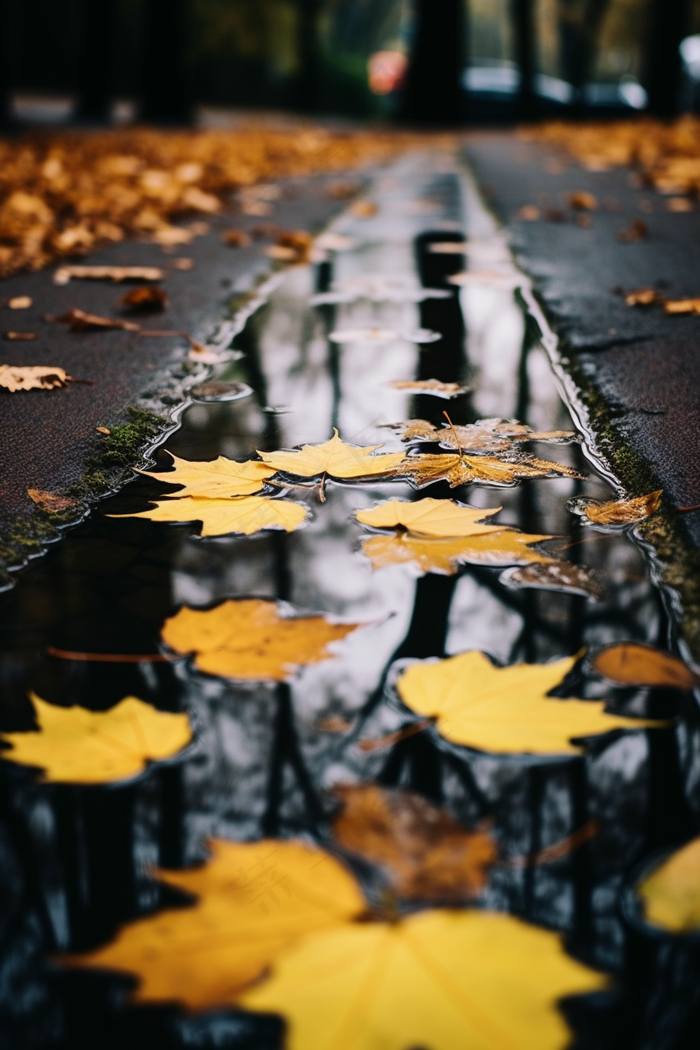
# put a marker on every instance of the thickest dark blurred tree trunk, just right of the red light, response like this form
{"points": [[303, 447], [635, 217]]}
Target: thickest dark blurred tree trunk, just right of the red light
{"points": [[434, 93]]}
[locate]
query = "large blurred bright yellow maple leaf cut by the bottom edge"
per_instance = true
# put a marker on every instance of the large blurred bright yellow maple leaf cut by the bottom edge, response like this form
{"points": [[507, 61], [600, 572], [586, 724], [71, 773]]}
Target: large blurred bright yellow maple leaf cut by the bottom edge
{"points": [[440, 979]]}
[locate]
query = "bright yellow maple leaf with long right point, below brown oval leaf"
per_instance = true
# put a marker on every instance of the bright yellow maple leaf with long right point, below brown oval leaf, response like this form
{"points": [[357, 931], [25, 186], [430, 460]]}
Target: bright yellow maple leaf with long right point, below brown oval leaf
{"points": [[505, 710]]}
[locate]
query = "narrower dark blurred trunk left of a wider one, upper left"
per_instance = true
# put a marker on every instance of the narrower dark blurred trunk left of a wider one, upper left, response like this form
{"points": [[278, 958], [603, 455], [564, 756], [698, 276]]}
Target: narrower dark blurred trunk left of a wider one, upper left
{"points": [[96, 60]]}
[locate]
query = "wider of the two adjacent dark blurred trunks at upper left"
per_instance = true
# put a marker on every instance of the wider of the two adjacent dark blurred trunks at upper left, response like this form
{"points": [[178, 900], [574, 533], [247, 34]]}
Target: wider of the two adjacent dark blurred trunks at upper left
{"points": [[166, 89]]}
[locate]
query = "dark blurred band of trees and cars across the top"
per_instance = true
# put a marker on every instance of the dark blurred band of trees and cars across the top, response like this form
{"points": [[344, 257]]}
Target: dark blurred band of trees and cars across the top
{"points": [[430, 60]]}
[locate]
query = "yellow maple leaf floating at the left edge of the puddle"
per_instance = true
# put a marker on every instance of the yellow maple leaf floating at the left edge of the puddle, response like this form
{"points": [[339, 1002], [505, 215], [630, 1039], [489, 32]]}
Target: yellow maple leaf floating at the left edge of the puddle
{"points": [[76, 746]]}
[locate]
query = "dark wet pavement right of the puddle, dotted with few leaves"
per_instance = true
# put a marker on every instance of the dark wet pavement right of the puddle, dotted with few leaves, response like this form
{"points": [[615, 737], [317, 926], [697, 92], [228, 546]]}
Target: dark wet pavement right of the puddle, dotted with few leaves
{"points": [[643, 364]]}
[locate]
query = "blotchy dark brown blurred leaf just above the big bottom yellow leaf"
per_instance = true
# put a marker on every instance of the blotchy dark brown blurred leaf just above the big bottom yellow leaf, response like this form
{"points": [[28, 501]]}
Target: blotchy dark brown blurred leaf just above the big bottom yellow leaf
{"points": [[422, 849]]}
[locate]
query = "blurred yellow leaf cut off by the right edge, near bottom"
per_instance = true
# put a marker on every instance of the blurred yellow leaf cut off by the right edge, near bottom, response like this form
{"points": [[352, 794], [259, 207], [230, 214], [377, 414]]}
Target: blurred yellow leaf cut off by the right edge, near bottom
{"points": [[671, 894]]}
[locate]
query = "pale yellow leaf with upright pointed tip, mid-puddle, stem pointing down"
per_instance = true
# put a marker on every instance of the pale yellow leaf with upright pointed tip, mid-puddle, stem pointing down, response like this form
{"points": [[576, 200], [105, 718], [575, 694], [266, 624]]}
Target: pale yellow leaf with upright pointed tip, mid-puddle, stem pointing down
{"points": [[335, 459]]}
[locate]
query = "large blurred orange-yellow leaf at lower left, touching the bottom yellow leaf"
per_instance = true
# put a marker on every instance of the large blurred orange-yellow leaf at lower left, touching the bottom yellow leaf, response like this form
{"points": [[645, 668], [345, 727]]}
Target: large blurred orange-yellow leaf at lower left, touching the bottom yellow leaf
{"points": [[253, 899]]}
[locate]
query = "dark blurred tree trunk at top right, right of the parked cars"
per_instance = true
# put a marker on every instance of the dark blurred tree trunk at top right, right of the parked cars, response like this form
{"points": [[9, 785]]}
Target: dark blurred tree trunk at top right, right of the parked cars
{"points": [[669, 23]]}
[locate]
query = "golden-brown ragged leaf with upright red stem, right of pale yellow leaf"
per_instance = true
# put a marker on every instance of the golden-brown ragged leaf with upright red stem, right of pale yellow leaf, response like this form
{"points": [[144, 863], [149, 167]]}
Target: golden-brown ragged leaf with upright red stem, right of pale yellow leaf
{"points": [[461, 470]]}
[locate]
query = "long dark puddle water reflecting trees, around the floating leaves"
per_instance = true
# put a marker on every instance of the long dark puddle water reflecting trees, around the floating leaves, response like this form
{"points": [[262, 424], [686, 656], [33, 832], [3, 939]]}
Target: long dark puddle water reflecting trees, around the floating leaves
{"points": [[76, 860]]}
